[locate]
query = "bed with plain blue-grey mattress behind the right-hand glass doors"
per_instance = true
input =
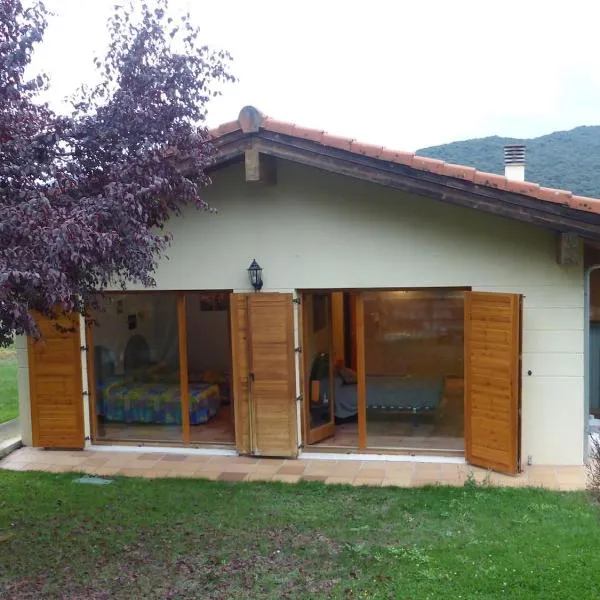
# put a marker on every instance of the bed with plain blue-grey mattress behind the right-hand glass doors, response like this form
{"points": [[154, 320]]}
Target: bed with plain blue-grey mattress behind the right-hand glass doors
{"points": [[408, 394]]}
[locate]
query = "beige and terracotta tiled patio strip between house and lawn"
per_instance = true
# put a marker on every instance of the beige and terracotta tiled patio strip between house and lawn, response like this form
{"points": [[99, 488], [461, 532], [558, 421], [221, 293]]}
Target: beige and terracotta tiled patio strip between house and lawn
{"points": [[238, 468]]}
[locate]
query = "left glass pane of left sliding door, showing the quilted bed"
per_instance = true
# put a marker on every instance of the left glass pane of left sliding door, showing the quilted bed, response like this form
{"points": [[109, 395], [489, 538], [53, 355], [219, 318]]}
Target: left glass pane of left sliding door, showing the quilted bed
{"points": [[136, 369]]}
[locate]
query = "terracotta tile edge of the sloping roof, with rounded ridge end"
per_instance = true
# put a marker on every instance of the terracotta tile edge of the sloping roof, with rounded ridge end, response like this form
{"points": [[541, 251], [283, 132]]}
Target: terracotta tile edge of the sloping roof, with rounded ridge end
{"points": [[251, 120]]}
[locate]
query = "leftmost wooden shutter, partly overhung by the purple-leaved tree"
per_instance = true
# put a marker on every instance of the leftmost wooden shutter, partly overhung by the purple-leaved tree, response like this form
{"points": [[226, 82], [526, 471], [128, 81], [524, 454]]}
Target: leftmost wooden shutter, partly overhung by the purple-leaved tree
{"points": [[56, 387]]}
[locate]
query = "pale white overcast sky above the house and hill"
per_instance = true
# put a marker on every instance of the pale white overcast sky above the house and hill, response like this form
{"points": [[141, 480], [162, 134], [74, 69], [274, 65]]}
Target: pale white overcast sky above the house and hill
{"points": [[405, 74]]}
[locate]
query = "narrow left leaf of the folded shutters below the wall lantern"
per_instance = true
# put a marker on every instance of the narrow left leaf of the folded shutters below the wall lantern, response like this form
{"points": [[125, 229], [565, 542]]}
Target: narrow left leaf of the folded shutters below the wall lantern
{"points": [[238, 306]]}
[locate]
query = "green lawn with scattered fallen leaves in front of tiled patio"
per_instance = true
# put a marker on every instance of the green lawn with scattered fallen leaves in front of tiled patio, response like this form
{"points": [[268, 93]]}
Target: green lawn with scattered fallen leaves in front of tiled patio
{"points": [[199, 539]]}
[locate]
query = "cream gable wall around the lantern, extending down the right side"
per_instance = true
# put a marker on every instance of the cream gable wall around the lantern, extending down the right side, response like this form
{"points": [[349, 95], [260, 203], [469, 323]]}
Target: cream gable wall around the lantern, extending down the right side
{"points": [[317, 230]]}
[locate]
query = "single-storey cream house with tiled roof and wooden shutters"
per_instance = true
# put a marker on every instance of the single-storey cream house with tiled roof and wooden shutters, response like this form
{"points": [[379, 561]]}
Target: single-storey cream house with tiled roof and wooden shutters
{"points": [[343, 298]]}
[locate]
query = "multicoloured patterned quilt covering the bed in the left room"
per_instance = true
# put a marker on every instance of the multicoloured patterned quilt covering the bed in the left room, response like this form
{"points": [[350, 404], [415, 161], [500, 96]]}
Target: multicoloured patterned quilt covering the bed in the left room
{"points": [[128, 401]]}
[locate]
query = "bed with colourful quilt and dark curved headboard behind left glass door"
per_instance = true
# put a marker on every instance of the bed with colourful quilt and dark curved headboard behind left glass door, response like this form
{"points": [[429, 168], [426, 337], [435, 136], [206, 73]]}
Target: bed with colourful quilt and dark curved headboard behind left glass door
{"points": [[148, 393]]}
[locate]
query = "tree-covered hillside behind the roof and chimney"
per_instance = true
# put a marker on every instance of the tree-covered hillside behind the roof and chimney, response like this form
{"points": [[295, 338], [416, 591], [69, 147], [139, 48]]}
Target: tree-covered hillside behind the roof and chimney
{"points": [[568, 160]]}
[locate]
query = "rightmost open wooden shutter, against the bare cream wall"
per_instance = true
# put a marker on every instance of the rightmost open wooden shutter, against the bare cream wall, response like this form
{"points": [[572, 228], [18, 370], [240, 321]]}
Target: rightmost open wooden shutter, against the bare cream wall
{"points": [[492, 380]]}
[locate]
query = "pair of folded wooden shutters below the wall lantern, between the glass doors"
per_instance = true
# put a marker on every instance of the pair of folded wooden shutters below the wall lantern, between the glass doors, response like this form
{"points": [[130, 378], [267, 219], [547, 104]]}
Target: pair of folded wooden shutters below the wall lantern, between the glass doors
{"points": [[264, 375]]}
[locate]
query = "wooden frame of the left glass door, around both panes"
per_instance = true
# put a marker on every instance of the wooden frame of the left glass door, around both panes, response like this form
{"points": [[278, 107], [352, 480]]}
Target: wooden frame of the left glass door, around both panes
{"points": [[181, 307]]}
